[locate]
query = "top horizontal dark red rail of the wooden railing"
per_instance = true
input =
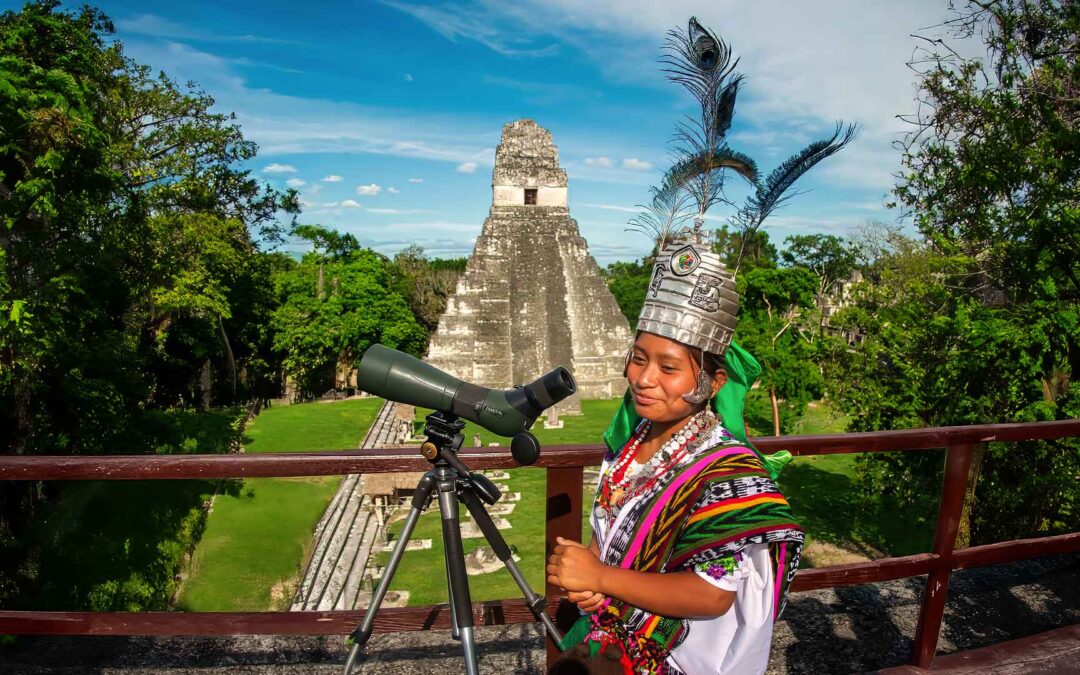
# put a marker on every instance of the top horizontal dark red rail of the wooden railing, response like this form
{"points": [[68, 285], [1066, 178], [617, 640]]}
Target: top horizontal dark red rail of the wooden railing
{"points": [[387, 461]]}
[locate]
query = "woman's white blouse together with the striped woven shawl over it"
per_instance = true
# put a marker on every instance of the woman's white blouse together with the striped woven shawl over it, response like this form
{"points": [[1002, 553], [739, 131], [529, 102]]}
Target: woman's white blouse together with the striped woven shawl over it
{"points": [[717, 514]]}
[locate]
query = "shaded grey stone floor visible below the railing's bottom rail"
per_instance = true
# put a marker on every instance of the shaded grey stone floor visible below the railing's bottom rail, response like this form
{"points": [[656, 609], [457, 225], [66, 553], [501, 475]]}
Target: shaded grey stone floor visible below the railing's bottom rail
{"points": [[858, 629]]}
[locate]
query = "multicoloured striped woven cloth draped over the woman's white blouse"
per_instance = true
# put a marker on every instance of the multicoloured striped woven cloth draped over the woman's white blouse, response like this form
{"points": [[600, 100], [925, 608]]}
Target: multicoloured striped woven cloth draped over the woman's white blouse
{"points": [[700, 517]]}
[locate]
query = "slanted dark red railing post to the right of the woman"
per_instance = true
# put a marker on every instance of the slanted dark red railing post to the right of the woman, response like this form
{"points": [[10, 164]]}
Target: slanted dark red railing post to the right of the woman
{"points": [[954, 487]]}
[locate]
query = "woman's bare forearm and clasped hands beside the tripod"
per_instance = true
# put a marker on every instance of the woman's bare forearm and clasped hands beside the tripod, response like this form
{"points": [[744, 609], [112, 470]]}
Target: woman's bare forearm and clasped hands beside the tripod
{"points": [[673, 595]]}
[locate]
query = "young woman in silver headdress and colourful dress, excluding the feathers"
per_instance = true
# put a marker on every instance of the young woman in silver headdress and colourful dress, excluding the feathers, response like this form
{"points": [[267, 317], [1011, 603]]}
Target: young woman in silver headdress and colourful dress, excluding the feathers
{"points": [[694, 546]]}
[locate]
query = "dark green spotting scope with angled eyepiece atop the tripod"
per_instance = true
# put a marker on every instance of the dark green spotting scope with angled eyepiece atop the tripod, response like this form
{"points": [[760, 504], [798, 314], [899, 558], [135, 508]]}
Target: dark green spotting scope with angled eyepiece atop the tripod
{"points": [[400, 377]]}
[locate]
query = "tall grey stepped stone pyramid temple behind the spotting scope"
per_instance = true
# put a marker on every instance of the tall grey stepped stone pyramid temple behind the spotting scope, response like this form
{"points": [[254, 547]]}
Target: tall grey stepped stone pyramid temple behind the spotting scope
{"points": [[532, 298]]}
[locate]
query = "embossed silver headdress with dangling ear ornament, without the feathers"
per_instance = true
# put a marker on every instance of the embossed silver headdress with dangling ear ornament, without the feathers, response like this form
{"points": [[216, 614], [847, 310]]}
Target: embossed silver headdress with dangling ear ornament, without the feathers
{"points": [[692, 300]]}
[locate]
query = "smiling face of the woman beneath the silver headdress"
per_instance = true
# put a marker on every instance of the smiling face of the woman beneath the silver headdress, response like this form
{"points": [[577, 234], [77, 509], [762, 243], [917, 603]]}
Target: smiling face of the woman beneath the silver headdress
{"points": [[660, 372]]}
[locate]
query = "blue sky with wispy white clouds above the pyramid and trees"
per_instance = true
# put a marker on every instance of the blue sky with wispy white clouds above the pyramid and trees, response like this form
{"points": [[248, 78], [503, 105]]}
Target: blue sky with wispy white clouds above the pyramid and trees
{"points": [[386, 114]]}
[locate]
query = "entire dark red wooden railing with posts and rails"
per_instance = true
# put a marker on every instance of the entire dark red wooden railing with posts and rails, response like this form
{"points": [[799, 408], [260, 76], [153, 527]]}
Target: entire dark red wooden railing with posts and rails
{"points": [[565, 484]]}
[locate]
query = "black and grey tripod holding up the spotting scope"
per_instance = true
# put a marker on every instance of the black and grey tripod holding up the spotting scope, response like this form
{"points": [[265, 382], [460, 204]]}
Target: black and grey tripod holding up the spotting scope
{"points": [[453, 482]]}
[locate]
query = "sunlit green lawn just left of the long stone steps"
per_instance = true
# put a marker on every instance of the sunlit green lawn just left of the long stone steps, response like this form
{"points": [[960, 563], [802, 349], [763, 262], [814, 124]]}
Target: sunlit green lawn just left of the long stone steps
{"points": [[259, 535]]}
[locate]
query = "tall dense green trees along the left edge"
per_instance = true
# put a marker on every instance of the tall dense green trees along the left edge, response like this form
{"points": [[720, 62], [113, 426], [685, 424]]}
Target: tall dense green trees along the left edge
{"points": [[128, 264]]}
